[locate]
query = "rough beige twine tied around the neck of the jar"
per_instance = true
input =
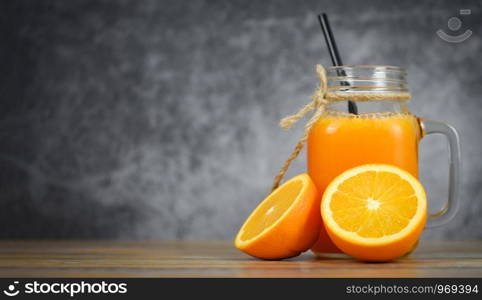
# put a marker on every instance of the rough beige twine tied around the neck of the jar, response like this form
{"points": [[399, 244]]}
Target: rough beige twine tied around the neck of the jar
{"points": [[318, 103]]}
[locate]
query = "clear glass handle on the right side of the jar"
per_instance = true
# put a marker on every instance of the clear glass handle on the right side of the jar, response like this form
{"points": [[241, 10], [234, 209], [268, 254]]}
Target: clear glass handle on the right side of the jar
{"points": [[450, 208]]}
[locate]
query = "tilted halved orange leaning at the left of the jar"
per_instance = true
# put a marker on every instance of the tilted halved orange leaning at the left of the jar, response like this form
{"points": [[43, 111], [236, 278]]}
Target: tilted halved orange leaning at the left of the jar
{"points": [[285, 224]]}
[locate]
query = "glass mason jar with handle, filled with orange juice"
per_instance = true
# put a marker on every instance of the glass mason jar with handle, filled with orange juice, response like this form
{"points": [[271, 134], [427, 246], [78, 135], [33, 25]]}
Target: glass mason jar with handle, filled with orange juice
{"points": [[382, 130]]}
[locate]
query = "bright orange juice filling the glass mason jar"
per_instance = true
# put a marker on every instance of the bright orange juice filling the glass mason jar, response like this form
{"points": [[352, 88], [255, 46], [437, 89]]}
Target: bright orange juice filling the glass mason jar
{"points": [[338, 142]]}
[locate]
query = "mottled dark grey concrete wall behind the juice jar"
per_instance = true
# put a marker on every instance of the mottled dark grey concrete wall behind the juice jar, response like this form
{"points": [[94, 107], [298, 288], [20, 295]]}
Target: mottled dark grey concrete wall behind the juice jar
{"points": [[158, 119]]}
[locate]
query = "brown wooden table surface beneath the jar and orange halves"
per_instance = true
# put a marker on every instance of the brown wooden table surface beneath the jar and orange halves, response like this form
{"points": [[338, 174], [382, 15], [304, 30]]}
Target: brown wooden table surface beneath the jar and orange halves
{"points": [[220, 259]]}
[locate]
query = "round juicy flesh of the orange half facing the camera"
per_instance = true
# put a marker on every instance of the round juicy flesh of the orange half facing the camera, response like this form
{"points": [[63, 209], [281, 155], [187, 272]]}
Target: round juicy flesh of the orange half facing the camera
{"points": [[374, 204]]}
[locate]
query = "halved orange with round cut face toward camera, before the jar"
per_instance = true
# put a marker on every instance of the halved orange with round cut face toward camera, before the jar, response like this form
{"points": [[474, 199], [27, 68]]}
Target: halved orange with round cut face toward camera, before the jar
{"points": [[374, 212]]}
